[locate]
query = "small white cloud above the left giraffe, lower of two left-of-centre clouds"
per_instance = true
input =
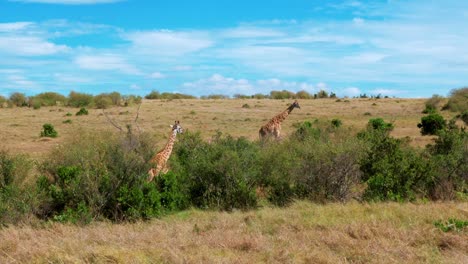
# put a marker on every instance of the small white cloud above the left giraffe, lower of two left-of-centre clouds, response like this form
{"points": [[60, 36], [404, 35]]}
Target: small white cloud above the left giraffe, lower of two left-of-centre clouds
{"points": [[106, 62]]}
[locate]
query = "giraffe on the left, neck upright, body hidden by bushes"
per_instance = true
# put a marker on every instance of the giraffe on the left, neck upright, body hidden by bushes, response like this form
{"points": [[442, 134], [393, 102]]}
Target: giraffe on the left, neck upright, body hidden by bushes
{"points": [[160, 159]]}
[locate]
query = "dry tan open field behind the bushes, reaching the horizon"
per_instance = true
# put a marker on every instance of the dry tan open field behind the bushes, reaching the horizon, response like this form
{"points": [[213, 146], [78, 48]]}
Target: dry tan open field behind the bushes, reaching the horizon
{"points": [[20, 127]]}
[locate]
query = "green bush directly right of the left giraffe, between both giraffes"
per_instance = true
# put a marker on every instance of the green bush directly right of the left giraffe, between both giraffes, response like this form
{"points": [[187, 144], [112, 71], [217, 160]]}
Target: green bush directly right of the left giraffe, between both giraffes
{"points": [[219, 175]]}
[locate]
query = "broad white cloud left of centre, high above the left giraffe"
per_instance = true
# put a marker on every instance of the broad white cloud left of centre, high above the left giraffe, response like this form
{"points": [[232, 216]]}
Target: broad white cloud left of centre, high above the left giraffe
{"points": [[168, 43]]}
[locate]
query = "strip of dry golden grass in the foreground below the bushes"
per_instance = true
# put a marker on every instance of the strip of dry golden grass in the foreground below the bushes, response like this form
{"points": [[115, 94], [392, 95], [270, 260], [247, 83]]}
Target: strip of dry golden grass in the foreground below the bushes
{"points": [[302, 233]]}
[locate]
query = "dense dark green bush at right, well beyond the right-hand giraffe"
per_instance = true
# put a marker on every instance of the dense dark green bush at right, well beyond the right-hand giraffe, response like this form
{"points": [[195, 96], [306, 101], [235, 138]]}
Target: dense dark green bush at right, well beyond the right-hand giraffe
{"points": [[391, 171]]}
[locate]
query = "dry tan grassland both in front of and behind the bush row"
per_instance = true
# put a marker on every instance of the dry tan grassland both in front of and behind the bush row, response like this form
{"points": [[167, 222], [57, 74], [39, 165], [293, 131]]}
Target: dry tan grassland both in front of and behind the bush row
{"points": [[303, 232]]}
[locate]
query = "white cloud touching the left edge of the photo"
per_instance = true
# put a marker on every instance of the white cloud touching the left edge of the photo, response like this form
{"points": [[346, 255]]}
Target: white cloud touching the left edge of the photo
{"points": [[29, 46]]}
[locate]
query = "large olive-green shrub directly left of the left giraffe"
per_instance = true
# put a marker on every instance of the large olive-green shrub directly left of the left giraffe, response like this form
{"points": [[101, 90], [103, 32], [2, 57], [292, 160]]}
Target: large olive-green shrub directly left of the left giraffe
{"points": [[98, 176]]}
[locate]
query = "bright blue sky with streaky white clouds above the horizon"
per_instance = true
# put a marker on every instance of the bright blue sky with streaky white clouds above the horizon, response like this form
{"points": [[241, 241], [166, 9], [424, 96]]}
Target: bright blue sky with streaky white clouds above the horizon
{"points": [[396, 48]]}
